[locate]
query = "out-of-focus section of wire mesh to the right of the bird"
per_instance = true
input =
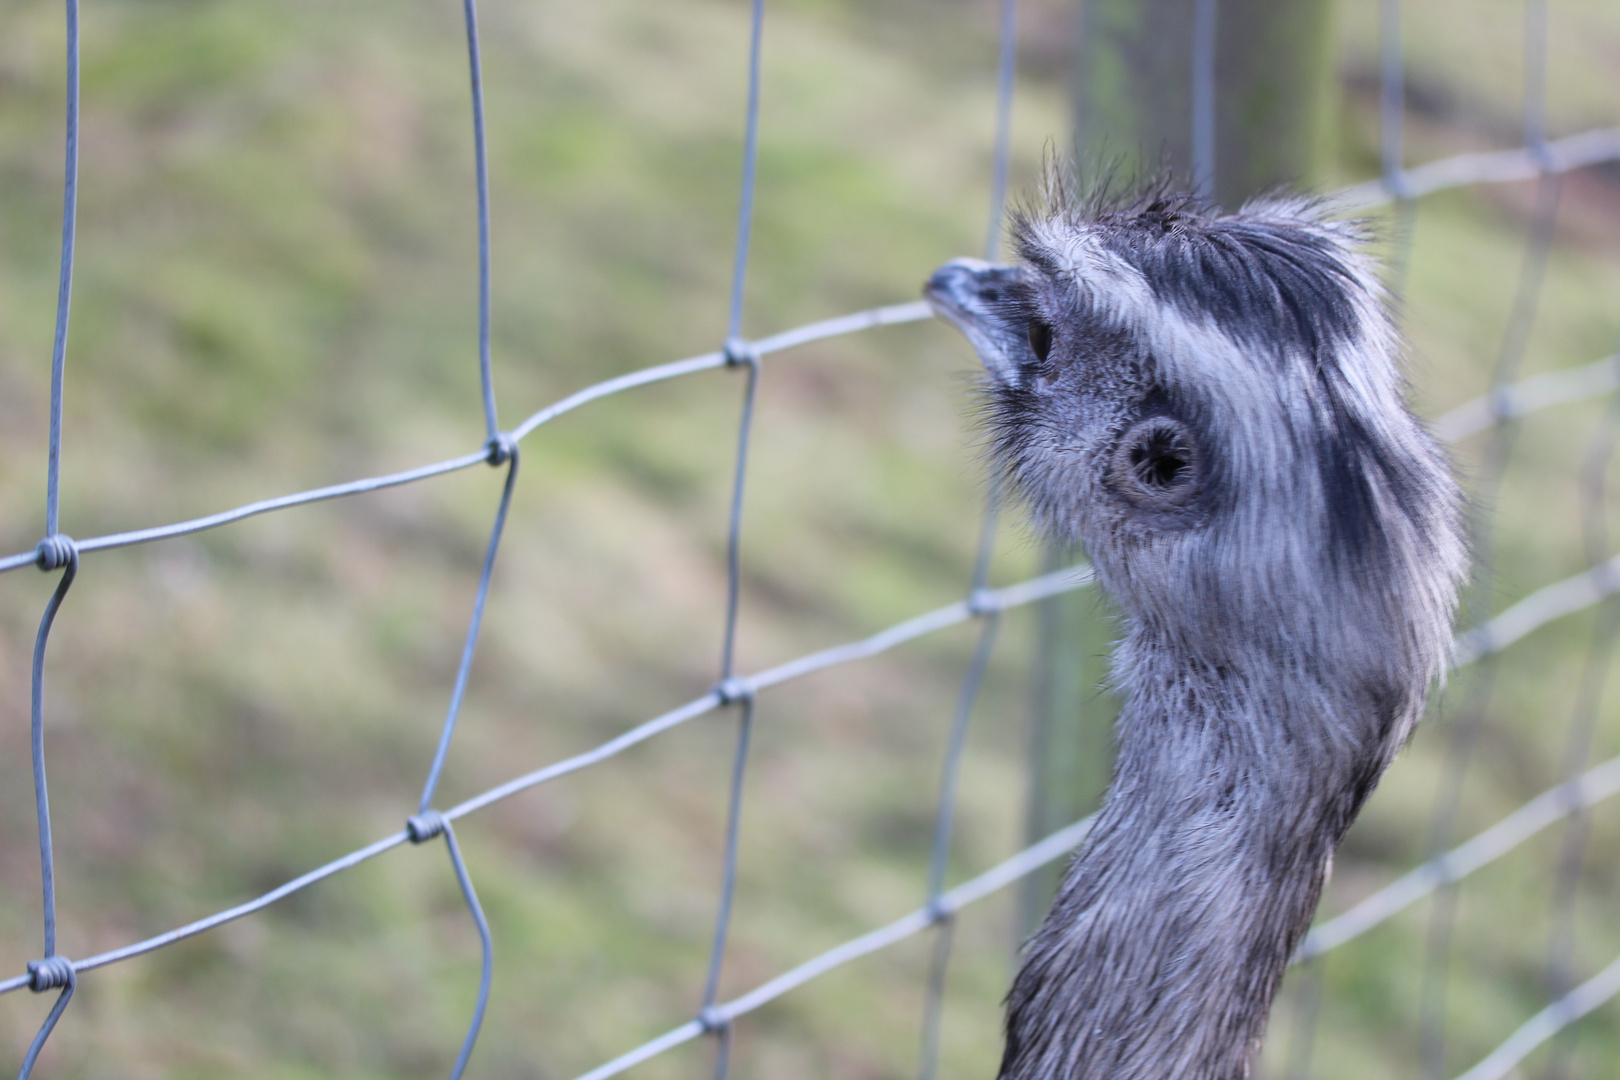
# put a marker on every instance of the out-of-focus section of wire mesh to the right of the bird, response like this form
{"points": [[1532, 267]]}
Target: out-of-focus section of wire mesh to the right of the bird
{"points": [[1498, 414]]}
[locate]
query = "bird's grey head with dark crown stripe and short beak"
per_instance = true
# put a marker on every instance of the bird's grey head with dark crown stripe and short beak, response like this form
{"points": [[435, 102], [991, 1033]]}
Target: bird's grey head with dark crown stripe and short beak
{"points": [[1211, 406]]}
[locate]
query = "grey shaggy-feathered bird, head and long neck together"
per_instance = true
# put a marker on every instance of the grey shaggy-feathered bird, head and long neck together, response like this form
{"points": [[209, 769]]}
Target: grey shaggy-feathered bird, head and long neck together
{"points": [[1211, 404]]}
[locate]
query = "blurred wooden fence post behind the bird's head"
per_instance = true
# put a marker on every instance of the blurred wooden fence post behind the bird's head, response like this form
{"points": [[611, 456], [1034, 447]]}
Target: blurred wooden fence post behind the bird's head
{"points": [[1234, 96]]}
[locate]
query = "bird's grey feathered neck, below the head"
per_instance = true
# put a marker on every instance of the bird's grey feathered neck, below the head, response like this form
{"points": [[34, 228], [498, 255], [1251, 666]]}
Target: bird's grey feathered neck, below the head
{"points": [[1174, 925]]}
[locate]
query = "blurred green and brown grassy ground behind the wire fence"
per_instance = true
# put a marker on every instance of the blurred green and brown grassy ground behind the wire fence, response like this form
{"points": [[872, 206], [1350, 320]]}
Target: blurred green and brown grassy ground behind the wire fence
{"points": [[278, 291]]}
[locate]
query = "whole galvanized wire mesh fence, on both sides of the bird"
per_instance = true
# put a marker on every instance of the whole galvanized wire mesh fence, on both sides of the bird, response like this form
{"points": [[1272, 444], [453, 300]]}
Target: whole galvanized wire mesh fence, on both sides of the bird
{"points": [[1572, 990]]}
